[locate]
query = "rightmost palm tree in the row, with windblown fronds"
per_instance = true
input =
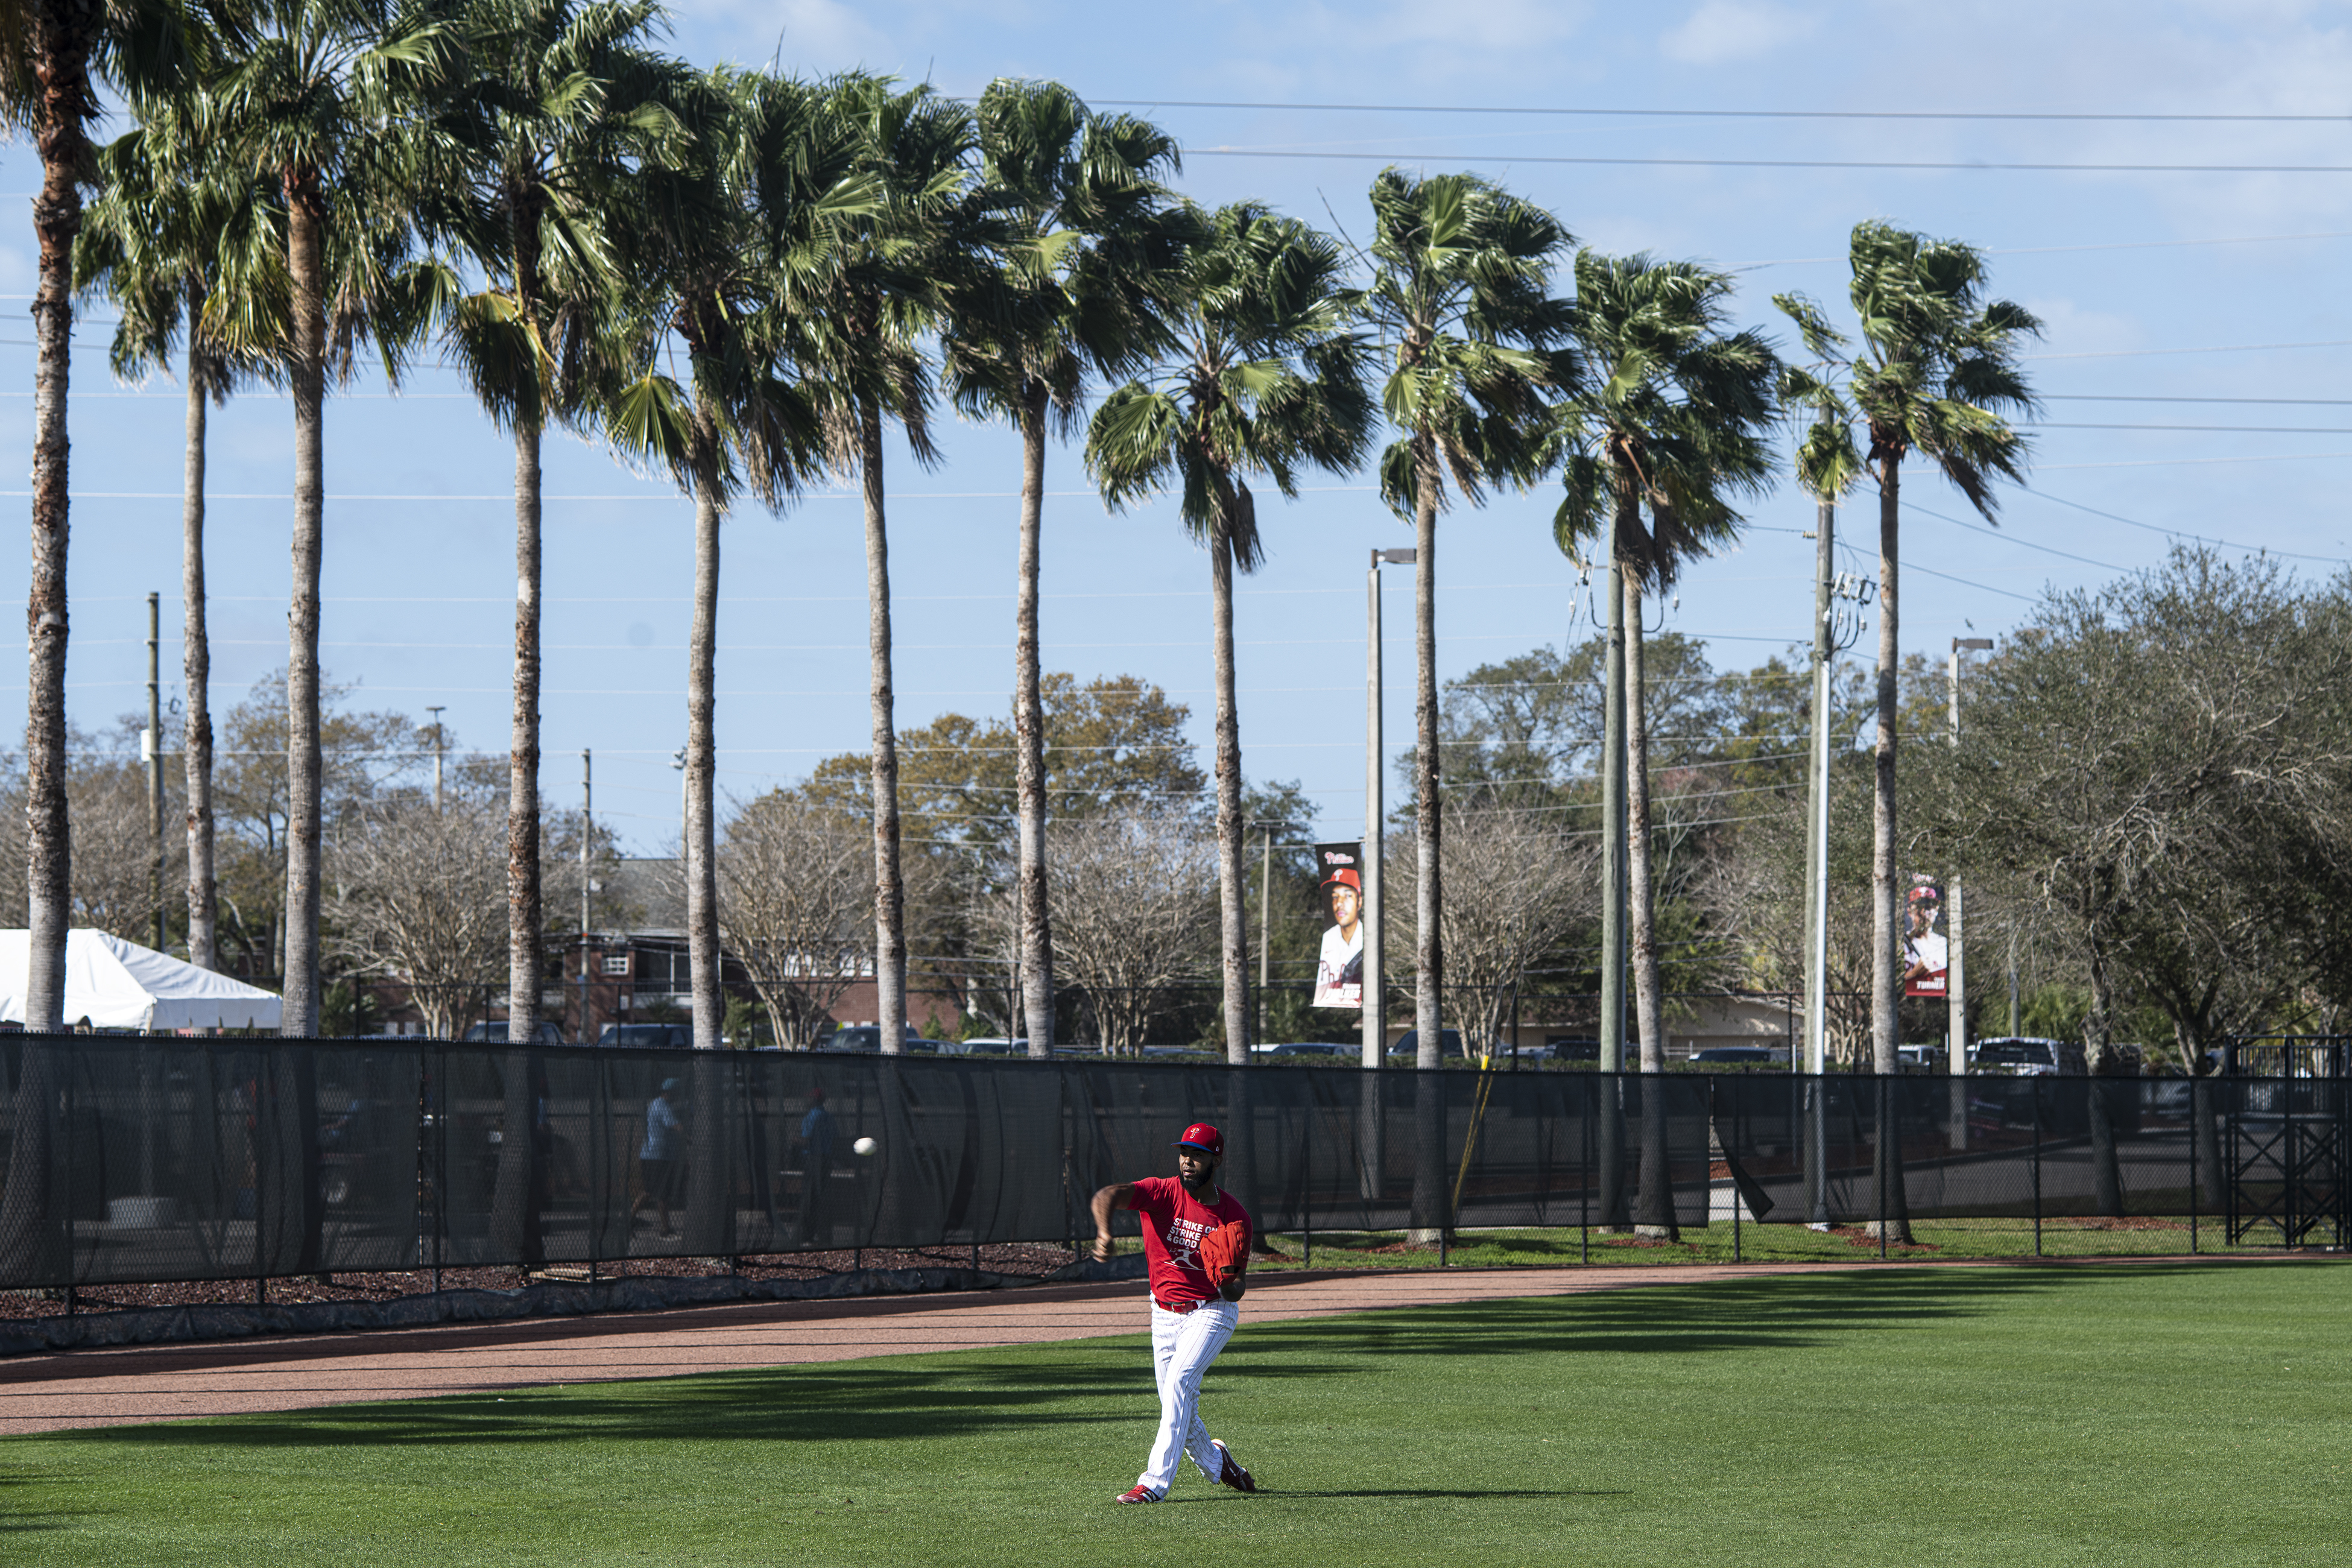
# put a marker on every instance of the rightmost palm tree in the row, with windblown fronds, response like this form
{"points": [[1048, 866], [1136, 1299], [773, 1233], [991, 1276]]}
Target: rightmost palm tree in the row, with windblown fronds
{"points": [[1937, 373]]}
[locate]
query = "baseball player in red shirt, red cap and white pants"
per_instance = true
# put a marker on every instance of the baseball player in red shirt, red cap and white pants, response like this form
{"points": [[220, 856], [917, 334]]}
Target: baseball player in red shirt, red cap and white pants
{"points": [[1198, 1242]]}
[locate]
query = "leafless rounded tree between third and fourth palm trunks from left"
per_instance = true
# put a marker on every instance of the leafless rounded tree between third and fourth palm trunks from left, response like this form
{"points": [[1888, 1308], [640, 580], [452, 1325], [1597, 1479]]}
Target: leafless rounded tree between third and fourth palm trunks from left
{"points": [[420, 894]]}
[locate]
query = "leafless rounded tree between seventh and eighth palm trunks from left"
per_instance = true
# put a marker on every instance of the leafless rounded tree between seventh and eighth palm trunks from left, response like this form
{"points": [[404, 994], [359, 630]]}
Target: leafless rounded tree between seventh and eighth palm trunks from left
{"points": [[1135, 904]]}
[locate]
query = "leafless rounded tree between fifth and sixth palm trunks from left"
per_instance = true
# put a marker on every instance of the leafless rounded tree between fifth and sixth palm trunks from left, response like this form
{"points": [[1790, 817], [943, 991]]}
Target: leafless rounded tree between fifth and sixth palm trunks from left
{"points": [[796, 909]]}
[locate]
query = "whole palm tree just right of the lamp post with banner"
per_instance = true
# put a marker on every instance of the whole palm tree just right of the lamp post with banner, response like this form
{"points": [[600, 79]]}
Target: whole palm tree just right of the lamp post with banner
{"points": [[1476, 342]]}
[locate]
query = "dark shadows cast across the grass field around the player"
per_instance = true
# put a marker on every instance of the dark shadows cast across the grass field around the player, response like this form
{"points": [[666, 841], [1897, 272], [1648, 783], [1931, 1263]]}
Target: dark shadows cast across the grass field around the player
{"points": [[1109, 1381]]}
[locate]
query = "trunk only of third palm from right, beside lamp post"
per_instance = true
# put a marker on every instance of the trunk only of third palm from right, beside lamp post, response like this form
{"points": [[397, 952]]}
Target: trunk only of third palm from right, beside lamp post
{"points": [[1429, 1217]]}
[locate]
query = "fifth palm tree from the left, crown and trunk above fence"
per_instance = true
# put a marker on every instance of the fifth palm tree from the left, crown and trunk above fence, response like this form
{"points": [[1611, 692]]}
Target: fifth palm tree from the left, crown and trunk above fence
{"points": [[756, 213]]}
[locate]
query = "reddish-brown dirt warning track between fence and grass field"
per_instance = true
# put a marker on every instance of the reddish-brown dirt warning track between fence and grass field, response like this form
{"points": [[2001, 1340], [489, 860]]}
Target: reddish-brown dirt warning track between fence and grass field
{"points": [[119, 1386]]}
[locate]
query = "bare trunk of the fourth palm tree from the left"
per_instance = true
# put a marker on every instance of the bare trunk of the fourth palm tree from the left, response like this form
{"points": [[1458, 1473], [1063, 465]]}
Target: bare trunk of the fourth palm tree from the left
{"points": [[514, 1209]]}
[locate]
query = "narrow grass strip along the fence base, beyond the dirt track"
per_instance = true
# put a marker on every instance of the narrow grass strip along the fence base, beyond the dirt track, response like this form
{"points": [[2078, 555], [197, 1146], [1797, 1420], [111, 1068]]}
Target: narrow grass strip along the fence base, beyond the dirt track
{"points": [[1932, 1240]]}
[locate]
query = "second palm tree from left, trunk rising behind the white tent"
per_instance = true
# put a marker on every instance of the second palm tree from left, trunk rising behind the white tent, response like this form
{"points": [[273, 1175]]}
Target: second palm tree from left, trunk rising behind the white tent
{"points": [[154, 243]]}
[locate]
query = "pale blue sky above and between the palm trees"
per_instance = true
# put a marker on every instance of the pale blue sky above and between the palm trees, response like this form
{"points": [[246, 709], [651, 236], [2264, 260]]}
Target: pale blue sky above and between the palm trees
{"points": [[2156, 286]]}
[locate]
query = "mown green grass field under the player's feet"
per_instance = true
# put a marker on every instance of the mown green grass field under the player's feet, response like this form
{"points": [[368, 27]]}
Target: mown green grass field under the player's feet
{"points": [[2132, 1414]]}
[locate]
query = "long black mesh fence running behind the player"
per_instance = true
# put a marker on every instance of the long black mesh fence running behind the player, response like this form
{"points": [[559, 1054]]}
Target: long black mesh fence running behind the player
{"points": [[156, 1160]]}
